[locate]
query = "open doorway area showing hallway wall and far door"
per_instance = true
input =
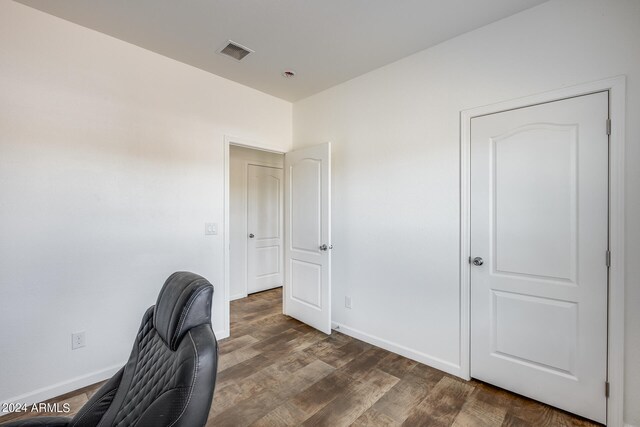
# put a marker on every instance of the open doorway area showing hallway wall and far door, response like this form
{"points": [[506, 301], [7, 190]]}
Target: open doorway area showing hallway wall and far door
{"points": [[256, 221]]}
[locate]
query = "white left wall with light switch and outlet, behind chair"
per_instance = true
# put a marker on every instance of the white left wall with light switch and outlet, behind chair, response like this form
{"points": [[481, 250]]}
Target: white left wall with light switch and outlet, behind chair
{"points": [[111, 161]]}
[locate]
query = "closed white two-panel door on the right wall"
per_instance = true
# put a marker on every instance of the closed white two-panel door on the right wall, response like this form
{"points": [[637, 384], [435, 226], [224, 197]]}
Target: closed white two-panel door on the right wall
{"points": [[539, 214]]}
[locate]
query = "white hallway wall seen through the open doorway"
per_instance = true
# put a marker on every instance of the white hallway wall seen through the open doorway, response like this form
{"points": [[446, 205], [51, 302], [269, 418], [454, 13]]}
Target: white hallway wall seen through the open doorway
{"points": [[239, 158]]}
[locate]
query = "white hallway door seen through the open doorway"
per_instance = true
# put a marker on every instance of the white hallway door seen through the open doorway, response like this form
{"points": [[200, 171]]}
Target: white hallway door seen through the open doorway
{"points": [[265, 228]]}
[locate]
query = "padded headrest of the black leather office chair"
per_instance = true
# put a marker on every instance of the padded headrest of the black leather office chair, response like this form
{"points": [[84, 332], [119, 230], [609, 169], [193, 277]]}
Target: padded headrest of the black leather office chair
{"points": [[184, 303]]}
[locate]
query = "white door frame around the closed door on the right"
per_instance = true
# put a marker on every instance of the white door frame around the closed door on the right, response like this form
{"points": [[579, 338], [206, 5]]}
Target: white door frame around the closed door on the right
{"points": [[617, 90]]}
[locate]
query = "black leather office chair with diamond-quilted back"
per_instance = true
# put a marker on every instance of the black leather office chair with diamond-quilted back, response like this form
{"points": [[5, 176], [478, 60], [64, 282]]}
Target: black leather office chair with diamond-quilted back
{"points": [[171, 373]]}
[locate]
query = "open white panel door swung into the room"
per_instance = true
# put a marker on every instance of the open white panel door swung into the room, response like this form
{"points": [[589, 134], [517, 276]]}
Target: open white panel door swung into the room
{"points": [[307, 290]]}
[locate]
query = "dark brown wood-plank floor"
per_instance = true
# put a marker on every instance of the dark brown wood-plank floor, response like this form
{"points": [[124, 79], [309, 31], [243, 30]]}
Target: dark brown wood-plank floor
{"points": [[276, 371]]}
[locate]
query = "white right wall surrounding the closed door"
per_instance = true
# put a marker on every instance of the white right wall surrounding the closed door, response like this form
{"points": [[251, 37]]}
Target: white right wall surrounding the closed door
{"points": [[395, 134]]}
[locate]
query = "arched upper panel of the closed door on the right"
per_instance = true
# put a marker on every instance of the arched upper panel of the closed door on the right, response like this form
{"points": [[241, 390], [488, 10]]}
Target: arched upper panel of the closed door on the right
{"points": [[512, 174]]}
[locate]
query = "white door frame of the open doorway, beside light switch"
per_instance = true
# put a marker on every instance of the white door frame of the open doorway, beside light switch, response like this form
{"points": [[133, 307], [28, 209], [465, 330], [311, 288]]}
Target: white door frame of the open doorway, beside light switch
{"points": [[228, 142]]}
